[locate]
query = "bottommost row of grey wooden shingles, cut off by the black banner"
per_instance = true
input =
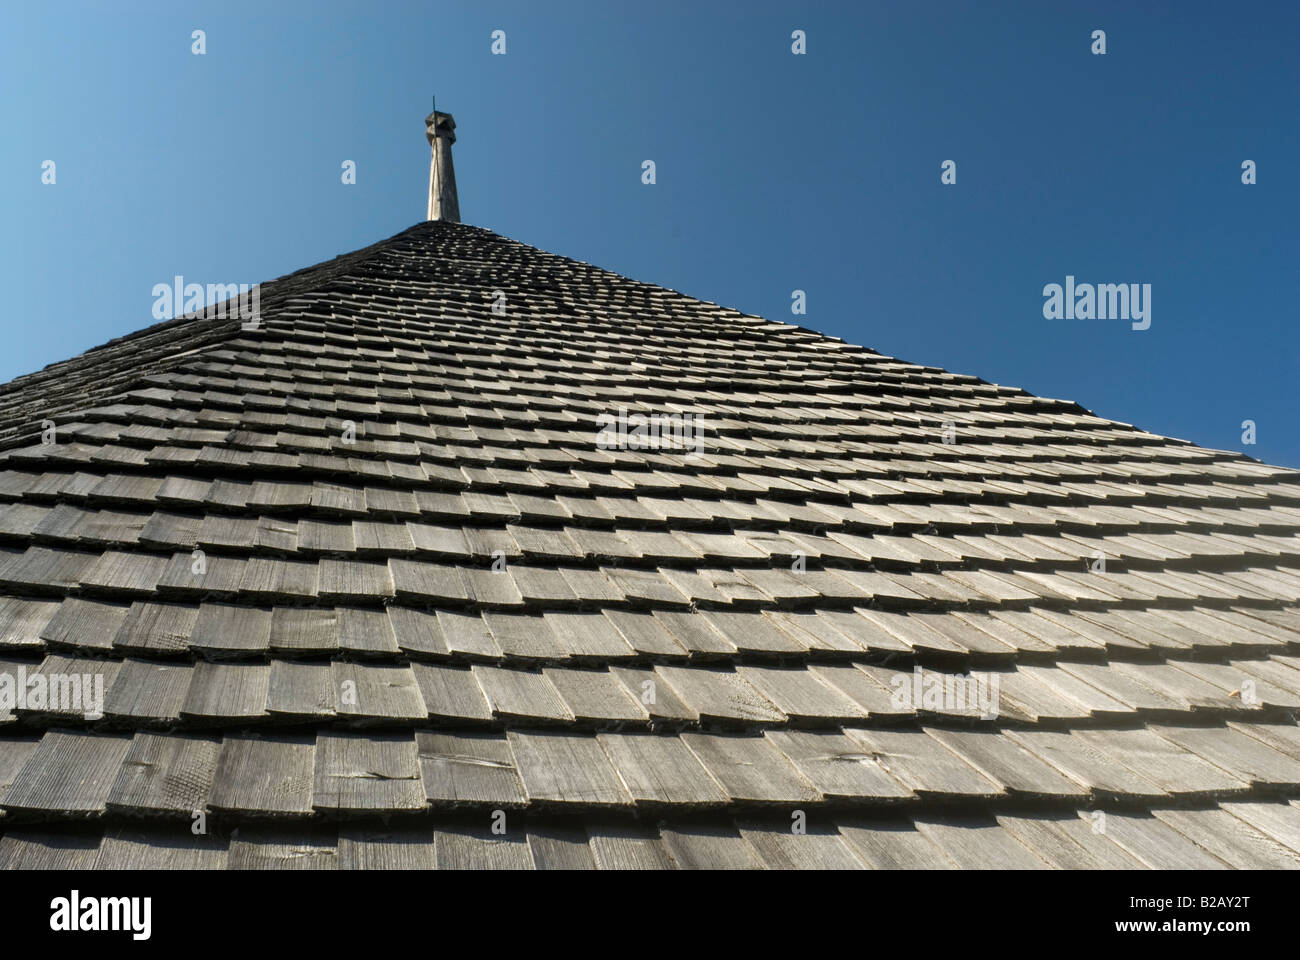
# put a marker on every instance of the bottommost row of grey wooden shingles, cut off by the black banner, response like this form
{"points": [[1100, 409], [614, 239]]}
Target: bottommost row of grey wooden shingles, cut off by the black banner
{"points": [[1237, 834]]}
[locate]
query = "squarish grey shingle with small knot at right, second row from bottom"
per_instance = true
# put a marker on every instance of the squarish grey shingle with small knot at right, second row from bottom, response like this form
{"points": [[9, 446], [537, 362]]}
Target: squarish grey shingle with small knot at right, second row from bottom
{"points": [[365, 775]]}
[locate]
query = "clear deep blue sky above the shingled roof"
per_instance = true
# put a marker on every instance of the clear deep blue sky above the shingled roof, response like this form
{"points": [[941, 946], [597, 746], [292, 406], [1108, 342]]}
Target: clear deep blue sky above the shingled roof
{"points": [[775, 172]]}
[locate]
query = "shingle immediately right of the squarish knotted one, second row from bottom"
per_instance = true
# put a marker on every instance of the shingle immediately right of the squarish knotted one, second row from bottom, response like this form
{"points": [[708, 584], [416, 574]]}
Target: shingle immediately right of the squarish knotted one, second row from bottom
{"points": [[469, 769]]}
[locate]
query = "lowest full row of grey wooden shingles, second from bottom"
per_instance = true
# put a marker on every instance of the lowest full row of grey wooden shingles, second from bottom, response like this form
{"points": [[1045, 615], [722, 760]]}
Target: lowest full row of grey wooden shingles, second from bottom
{"points": [[249, 776]]}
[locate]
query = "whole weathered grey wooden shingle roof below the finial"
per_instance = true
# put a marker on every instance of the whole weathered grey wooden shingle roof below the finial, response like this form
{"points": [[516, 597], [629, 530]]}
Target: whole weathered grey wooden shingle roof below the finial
{"points": [[362, 585]]}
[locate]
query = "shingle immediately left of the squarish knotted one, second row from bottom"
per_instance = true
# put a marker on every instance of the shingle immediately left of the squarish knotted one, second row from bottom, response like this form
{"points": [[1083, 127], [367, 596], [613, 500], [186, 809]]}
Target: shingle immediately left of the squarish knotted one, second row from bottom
{"points": [[265, 777]]}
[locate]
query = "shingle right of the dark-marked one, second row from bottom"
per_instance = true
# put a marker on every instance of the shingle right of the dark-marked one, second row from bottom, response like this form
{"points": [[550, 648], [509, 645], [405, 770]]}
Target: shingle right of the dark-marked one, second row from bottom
{"points": [[569, 769]]}
